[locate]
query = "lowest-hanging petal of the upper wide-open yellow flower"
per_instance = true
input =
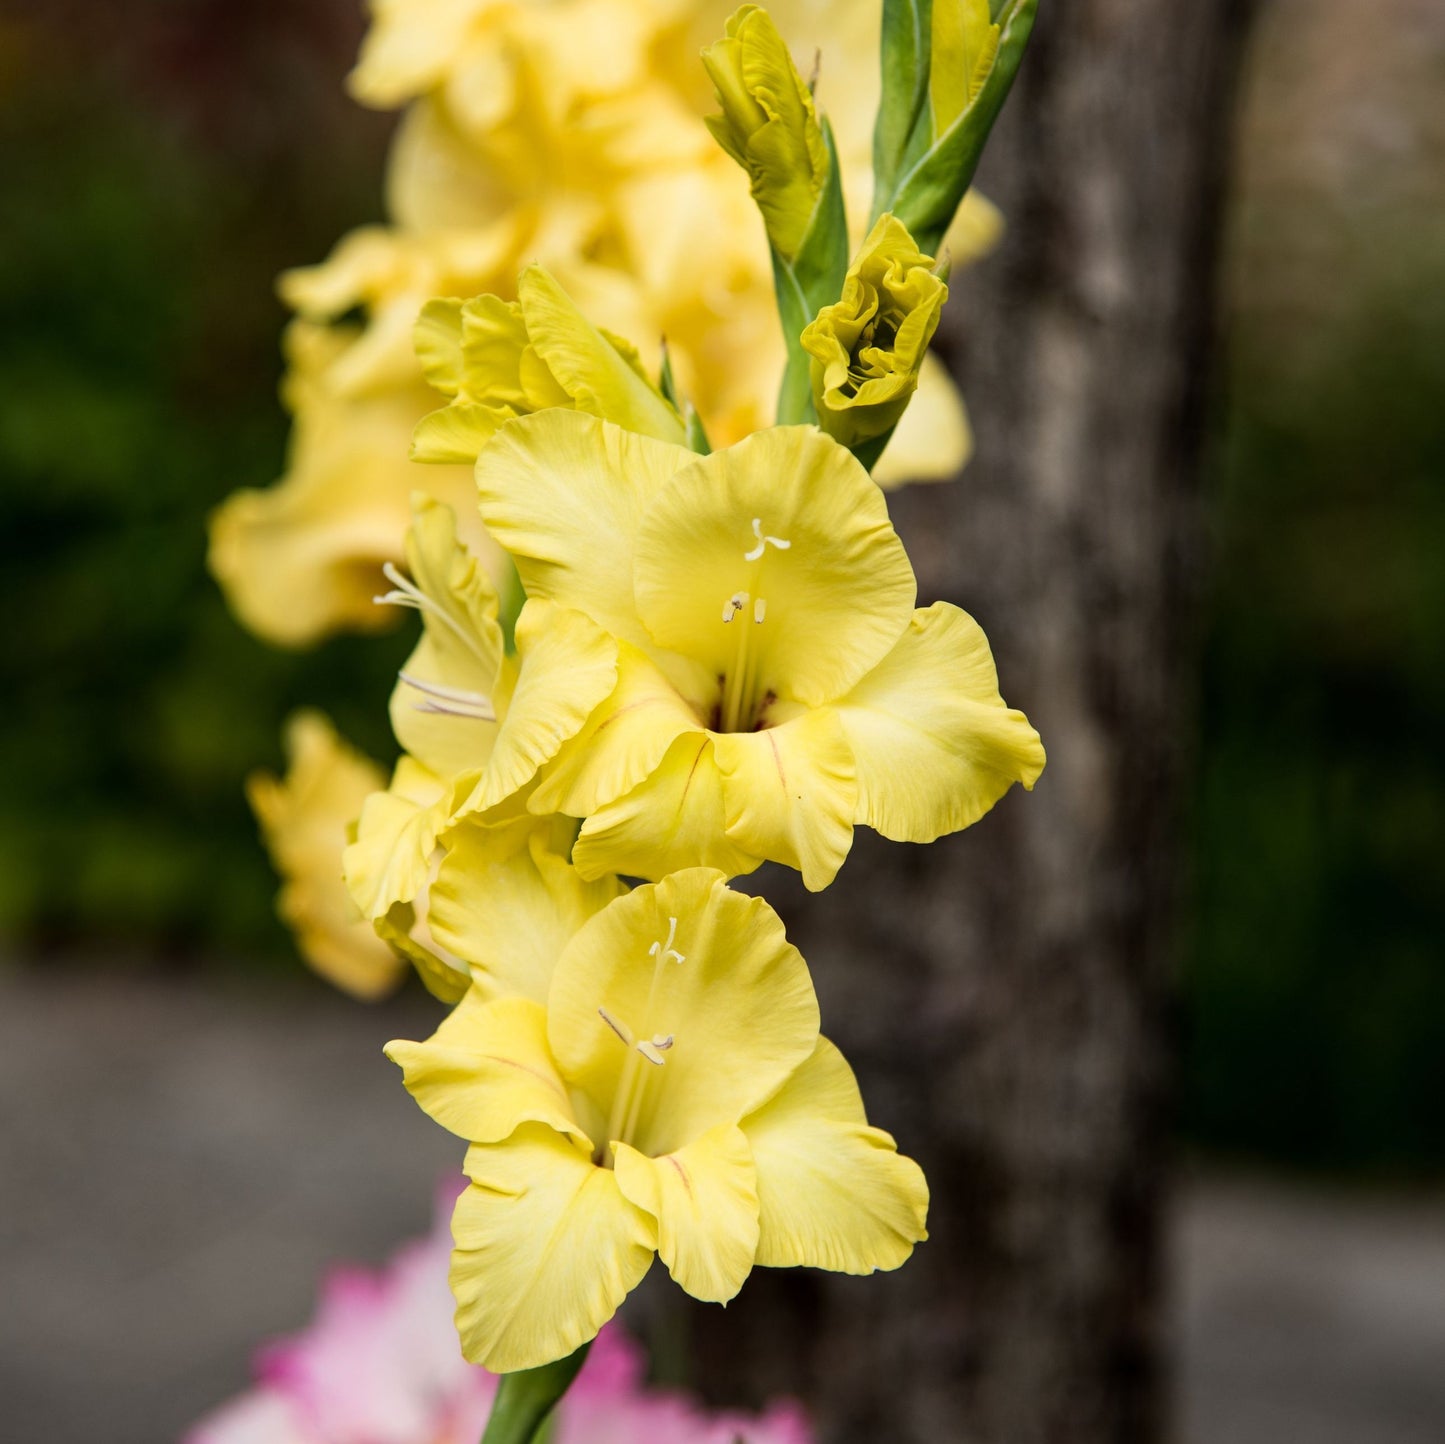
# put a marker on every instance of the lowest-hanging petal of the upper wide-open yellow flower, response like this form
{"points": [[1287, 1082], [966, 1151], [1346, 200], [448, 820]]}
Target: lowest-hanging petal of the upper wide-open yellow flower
{"points": [[790, 794]]}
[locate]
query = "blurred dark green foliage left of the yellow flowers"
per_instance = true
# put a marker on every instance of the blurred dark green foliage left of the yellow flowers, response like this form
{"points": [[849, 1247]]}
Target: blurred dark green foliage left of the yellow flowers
{"points": [[138, 377]]}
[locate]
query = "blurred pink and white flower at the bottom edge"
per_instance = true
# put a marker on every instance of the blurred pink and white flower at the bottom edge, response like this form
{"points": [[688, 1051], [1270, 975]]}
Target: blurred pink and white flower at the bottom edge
{"points": [[381, 1365]]}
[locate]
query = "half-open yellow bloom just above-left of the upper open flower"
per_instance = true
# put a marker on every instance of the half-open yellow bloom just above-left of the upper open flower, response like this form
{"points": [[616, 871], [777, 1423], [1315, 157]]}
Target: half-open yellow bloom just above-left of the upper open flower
{"points": [[499, 359]]}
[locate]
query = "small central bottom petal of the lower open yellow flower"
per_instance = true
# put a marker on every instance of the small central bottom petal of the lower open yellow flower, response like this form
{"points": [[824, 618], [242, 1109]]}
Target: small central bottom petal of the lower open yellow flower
{"points": [[704, 1198]]}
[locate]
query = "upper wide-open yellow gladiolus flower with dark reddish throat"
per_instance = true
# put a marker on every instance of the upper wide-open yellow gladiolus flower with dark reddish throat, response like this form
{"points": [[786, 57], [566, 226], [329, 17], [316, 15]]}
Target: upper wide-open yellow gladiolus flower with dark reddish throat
{"points": [[775, 684]]}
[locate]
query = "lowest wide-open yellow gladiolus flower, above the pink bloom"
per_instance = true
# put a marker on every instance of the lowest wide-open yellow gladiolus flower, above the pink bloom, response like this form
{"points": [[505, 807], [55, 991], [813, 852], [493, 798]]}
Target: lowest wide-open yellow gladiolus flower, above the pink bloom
{"points": [[671, 1098]]}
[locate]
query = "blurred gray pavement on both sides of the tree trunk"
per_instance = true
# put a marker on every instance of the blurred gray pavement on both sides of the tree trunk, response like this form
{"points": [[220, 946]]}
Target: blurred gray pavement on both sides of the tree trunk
{"points": [[180, 1160]]}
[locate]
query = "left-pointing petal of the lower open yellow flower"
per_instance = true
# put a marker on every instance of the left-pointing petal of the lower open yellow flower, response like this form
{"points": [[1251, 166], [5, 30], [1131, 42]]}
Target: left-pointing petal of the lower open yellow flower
{"points": [[488, 1070]]}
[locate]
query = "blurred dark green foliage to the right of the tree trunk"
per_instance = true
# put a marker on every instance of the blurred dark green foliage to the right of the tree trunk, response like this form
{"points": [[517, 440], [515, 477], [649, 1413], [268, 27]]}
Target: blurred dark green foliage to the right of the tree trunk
{"points": [[1317, 958]]}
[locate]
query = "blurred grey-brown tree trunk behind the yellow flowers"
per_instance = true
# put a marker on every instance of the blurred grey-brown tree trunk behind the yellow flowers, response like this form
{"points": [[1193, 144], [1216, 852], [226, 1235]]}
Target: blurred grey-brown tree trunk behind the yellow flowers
{"points": [[1005, 995]]}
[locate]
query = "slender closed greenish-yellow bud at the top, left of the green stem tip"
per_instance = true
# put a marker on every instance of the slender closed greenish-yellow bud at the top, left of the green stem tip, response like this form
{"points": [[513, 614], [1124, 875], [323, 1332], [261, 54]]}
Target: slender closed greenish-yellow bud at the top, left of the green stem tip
{"points": [[769, 125]]}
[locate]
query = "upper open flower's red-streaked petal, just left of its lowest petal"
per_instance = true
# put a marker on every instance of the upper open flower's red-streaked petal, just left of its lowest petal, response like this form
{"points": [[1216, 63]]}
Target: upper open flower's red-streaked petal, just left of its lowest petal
{"points": [[671, 820]]}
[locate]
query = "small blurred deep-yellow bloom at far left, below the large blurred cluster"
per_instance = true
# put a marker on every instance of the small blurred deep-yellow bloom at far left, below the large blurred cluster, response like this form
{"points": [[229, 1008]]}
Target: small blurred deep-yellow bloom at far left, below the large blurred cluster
{"points": [[304, 820]]}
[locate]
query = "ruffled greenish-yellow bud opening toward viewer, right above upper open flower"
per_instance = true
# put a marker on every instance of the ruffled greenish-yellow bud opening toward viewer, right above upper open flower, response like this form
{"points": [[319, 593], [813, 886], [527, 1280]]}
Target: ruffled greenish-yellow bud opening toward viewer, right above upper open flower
{"points": [[868, 349]]}
